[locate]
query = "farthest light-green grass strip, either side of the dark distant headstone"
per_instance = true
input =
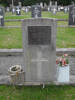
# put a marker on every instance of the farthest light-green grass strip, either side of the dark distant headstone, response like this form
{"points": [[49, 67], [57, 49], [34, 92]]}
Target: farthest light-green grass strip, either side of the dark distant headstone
{"points": [[59, 15]]}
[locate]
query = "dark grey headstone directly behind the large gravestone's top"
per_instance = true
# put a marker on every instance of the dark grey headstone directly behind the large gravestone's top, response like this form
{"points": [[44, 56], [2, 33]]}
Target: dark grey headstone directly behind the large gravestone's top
{"points": [[36, 11]]}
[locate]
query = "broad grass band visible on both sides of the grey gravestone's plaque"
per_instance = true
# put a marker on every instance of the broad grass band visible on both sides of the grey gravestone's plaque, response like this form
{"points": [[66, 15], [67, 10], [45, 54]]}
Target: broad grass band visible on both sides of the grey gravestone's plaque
{"points": [[12, 38]]}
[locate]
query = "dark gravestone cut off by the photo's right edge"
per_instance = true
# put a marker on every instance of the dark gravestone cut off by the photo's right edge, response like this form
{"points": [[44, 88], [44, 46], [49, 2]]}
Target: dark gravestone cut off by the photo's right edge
{"points": [[72, 15]]}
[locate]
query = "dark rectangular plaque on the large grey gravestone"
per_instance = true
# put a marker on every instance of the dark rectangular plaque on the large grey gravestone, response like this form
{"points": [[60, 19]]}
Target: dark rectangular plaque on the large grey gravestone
{"points": [[39, 35]]}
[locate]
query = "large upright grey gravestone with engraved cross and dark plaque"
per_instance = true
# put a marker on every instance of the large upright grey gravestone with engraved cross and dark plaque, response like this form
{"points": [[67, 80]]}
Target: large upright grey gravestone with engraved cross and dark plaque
{"points": [[39, 43]]}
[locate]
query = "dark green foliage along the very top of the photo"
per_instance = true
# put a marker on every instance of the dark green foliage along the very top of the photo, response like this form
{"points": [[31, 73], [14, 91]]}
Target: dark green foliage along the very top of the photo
{"points": [[32, 2]]}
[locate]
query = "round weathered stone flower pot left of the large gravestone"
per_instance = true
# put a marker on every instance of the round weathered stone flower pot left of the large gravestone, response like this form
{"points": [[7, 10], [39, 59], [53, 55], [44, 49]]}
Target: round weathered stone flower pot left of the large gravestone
{"points": [[17, 74]]}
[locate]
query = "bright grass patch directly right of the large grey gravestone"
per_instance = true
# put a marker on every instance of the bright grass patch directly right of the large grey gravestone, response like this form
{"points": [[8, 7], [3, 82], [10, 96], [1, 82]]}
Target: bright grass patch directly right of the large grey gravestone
{"points": [[65, 38]]}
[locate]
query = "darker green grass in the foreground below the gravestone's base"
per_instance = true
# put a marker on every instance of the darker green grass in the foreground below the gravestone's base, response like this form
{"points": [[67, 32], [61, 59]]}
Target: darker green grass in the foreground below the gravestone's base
{"points": [[37, 93]]}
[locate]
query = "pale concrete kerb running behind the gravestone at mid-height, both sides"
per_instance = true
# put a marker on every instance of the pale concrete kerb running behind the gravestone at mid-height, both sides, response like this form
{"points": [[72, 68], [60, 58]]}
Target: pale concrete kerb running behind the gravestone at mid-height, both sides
{"points": [[18, 52]]}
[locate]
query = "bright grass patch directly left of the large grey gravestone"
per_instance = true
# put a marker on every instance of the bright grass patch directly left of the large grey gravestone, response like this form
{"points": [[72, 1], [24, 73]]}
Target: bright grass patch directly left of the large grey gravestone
{"points": [[10, 38]]}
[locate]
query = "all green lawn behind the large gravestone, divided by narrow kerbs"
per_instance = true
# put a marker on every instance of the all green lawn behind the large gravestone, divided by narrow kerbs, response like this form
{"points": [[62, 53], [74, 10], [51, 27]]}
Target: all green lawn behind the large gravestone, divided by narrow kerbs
{"points": [[12, 37]]}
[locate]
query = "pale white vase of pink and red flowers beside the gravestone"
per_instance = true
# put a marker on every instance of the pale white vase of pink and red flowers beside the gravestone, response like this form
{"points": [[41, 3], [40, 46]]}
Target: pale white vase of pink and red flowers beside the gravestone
{"points": [[63, 68]]}
